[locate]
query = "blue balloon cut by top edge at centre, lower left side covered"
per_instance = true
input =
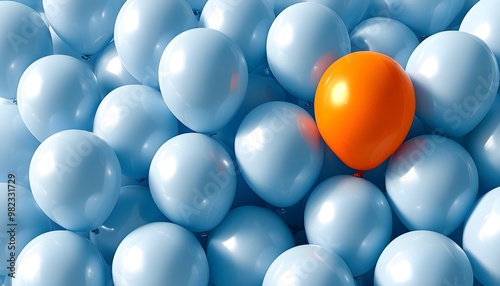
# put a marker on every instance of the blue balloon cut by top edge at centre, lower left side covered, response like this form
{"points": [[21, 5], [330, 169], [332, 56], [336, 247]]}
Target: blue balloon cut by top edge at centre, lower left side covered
{"points": [[247, 23]]}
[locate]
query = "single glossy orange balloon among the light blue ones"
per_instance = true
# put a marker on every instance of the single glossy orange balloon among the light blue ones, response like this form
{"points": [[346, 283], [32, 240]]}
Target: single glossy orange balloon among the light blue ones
{"points": [[364, 108]]}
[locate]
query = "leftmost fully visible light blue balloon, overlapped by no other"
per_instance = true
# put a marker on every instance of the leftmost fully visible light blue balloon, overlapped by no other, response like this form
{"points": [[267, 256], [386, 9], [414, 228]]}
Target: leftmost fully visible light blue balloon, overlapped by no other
{"points": [[75, 179]]}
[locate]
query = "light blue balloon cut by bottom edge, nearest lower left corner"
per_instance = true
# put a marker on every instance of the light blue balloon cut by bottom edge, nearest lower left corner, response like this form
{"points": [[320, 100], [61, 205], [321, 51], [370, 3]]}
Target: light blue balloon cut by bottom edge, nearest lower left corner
{"points": [[60, 258]]}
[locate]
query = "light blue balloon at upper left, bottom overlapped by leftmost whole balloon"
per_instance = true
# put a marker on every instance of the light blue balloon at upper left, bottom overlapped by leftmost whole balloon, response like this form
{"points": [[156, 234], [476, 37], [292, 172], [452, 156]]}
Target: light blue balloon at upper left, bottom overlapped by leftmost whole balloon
{"points": [[56, 93]]}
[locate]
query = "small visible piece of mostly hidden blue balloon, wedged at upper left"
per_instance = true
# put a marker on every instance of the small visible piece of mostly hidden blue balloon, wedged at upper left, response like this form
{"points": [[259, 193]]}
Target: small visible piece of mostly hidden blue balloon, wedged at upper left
{"points": [[110, 71]]}
